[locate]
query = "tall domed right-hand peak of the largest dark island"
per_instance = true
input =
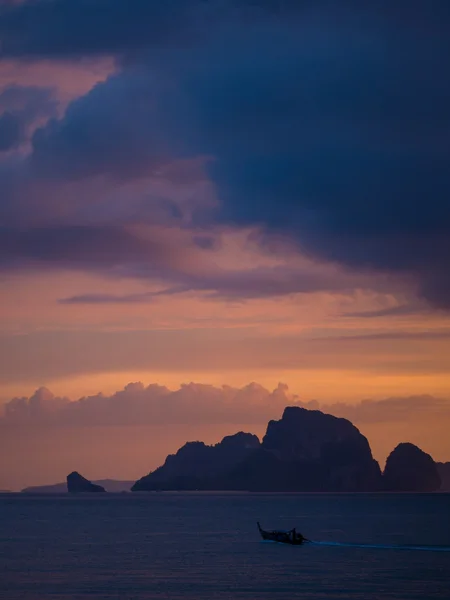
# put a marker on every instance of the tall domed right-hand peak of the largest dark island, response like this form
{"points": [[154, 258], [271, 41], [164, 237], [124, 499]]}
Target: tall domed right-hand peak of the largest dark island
{"points": [[310, 451]]}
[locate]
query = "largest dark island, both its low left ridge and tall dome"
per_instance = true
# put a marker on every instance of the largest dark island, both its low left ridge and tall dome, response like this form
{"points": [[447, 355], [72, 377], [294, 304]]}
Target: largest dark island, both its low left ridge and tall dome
{"points": [[304, 451]]}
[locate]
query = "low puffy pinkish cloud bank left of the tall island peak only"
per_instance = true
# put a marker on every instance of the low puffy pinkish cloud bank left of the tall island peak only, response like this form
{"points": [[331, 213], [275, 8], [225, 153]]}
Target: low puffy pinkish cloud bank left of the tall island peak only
{"points": [[137, 404]]}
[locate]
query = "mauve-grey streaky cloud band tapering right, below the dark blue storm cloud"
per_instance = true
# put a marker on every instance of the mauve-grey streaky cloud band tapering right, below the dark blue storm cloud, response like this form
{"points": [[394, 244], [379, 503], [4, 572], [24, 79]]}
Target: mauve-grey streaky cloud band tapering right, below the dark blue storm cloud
{"points": [[174, 259]]}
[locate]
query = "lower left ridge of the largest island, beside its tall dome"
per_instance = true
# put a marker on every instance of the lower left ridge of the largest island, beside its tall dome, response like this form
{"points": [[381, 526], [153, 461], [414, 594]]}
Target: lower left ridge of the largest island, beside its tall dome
{"points": [[198, 466]]}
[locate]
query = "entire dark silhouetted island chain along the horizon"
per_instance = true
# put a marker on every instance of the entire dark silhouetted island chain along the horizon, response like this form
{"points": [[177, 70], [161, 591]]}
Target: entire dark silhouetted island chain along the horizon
{"points": [[304, 451]]}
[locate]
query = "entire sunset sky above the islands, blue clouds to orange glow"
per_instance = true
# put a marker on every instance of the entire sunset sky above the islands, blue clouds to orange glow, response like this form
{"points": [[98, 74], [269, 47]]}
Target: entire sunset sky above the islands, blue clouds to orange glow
{"points": [[211, 209]]}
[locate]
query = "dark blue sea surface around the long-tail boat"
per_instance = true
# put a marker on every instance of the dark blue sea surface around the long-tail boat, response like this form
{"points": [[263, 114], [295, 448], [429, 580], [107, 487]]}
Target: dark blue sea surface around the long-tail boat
{"points": [[206, 546]]}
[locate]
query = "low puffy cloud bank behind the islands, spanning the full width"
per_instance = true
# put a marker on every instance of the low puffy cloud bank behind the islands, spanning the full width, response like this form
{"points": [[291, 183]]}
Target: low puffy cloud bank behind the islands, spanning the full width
{"points": [[201, 404]]}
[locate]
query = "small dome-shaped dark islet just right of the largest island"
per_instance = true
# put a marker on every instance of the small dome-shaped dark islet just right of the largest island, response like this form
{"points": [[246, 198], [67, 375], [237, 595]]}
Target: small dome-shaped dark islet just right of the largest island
{"points": [[410, 469]]}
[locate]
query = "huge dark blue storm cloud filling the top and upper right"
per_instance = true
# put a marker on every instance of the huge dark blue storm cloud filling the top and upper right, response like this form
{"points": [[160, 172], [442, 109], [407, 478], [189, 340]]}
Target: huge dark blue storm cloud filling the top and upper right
{"points": [[328, 124]]}
